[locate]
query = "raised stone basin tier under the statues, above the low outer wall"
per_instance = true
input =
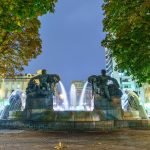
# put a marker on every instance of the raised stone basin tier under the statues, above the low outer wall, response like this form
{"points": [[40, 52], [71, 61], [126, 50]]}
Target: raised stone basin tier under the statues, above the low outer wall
{"points": [[61, 116]]}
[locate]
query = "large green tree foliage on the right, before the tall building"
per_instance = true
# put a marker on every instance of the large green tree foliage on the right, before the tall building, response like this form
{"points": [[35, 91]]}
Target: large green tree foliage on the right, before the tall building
{"points": [[127, 27]]}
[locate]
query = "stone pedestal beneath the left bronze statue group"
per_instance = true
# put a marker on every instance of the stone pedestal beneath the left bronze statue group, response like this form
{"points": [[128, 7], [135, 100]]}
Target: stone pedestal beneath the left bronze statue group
{"points": [[37, 103]]}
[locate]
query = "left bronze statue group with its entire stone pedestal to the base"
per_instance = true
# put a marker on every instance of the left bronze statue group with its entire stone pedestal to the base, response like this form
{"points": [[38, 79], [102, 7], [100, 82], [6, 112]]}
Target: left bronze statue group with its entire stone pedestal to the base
{"points": [[40, 91]]}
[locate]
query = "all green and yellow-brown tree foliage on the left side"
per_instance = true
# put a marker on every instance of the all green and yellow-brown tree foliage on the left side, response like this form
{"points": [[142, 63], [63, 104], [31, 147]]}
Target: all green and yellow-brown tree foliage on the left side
{"points": [[19, 32]]}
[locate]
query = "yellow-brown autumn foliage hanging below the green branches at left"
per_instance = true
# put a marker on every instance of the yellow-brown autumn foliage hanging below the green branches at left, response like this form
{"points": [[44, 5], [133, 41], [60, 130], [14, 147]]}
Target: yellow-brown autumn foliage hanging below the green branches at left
{"points": [[18, 48]]}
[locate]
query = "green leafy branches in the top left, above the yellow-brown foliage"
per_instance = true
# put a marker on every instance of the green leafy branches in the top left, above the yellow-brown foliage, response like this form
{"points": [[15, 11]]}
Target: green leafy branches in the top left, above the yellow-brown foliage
{"points": [[14, 12]]}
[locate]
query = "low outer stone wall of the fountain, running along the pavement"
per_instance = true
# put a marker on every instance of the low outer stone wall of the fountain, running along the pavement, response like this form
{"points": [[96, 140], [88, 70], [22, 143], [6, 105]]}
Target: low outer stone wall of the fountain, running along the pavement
{"points": [[75, 125]]}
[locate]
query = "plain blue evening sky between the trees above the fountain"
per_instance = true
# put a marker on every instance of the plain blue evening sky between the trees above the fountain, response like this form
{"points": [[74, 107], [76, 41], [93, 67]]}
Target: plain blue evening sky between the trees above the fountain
{"points": [[71, 41]]}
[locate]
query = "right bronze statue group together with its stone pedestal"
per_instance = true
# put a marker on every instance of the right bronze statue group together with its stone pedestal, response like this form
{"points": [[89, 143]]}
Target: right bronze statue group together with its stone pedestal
{"points": [[107, 95]]}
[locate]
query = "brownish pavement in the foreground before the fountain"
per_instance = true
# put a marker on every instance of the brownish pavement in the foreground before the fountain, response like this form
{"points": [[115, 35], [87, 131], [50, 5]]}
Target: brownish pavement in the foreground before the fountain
{"points": [[37, 140]]}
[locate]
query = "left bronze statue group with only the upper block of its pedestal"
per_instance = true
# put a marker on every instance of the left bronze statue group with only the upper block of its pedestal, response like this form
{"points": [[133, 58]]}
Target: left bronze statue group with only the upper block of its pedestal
{"points": [[40, 90]]}
